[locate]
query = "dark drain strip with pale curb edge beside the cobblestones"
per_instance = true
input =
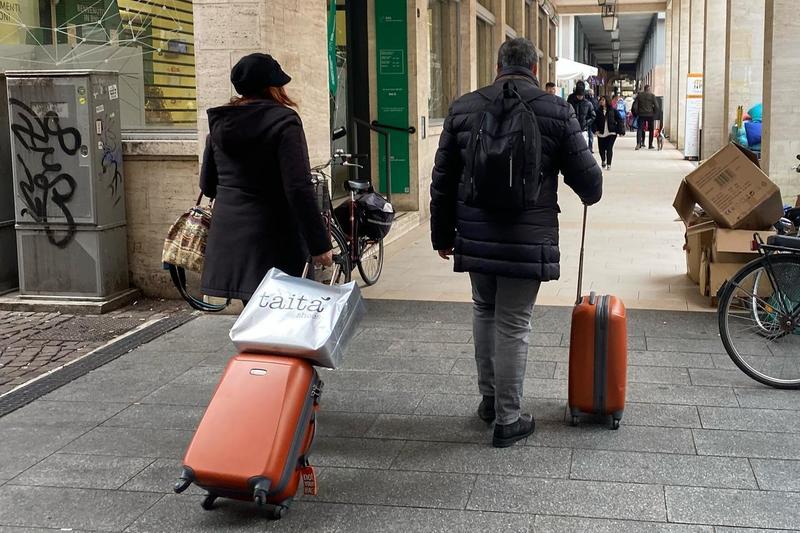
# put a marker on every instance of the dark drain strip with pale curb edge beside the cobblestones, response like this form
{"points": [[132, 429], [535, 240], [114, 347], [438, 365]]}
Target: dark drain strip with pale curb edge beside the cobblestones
{"points": [[58, 377]]}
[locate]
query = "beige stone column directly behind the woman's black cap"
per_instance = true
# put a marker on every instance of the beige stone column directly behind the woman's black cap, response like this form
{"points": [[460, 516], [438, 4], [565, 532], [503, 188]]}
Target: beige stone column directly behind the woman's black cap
{"points": [[295, 34]]}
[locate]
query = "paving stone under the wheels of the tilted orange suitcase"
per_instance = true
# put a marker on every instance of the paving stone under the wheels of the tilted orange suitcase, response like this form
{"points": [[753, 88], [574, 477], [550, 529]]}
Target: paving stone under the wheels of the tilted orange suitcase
{"points": [[181, 513]]}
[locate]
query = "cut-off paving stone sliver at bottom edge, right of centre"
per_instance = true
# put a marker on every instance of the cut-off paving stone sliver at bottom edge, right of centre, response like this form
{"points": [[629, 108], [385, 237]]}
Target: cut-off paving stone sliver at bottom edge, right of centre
{"points": [[566, 524]]}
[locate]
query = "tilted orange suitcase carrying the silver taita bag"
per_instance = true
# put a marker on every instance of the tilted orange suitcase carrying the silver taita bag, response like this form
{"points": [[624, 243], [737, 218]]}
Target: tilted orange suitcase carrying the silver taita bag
{"points": [[254, 438]]}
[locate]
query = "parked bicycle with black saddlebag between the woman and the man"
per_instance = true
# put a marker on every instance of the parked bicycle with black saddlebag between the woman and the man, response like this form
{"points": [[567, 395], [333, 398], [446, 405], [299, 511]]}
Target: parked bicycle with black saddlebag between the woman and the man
{"points": [[352, 247]]}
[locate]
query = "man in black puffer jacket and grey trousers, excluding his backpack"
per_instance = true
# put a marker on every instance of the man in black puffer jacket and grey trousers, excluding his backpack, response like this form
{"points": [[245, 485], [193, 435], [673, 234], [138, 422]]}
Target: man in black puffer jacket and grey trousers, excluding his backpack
{"points": [[507, 253]]}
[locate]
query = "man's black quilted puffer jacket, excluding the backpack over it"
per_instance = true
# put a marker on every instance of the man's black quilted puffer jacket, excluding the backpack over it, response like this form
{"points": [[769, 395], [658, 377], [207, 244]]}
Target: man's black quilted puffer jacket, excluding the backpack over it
{"points": [[517, 245]]}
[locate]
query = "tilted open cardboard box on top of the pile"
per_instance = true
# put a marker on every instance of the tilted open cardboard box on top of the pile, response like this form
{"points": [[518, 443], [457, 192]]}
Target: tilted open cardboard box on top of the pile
{"points": [[732, 190]]}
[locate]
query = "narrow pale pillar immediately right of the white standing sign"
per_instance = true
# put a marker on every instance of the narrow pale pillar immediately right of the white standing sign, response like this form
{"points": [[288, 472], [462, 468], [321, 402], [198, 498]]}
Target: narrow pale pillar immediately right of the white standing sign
{"points": [[714, 61]]}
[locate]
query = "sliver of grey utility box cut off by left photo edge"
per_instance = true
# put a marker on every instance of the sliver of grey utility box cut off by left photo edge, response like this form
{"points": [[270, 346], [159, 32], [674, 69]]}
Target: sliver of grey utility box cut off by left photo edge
{"points": [[8, 246]]}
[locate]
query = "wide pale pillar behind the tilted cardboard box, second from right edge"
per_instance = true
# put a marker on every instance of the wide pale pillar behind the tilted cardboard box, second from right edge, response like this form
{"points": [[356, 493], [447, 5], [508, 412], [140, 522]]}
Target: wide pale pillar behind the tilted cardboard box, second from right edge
{"points": [[744, 56]]}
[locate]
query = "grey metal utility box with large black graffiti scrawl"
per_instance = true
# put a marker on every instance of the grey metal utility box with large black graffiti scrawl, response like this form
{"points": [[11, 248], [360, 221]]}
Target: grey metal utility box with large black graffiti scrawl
{"points": [[68, 183]]}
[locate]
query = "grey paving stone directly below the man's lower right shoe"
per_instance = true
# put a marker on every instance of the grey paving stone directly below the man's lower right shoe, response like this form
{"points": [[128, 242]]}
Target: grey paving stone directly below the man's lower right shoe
{"points": [[482, 459]]}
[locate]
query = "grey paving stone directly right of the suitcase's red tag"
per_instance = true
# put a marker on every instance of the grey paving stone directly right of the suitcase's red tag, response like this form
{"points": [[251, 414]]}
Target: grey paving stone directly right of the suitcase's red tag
{"points": [[412, 489]]}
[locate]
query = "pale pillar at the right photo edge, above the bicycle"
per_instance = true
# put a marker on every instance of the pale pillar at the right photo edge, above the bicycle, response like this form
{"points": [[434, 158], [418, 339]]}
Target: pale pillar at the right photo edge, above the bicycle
{"points": [[780, 142]]}
